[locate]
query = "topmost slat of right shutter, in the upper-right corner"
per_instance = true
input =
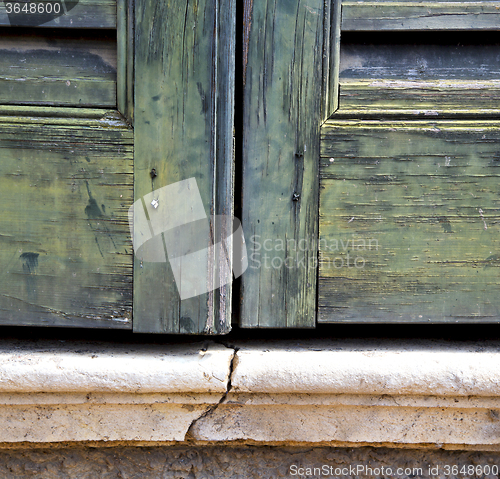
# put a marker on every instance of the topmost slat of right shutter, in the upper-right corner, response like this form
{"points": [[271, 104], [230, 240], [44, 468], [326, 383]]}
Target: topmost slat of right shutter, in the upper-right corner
{"points": [[419, 15]]}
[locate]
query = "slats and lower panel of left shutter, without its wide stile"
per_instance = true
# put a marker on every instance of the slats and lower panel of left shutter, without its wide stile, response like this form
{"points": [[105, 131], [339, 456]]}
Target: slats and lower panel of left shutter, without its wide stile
{"points": [[66, 169]]}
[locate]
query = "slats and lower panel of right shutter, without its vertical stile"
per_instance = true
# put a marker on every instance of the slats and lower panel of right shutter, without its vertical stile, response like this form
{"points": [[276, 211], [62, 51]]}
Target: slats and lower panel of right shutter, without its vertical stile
{"points": [[409, 205]]}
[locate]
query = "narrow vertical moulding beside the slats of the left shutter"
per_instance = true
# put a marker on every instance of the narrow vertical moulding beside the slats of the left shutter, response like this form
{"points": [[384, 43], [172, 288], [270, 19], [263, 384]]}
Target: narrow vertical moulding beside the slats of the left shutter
{"points": [[125, 59]]}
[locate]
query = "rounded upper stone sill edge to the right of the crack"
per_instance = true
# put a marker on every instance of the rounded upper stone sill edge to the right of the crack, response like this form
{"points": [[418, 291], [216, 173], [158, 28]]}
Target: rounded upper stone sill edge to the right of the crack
{"points": [[390, 367]]}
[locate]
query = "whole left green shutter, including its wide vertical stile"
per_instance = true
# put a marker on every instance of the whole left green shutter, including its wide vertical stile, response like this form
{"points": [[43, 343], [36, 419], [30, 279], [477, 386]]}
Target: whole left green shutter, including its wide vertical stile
{"points": [[69, 125]]}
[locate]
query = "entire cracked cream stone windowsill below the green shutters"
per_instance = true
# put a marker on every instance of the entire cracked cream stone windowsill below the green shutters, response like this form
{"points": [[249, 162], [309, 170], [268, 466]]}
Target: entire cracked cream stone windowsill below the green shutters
{"points": [[392, 393]]}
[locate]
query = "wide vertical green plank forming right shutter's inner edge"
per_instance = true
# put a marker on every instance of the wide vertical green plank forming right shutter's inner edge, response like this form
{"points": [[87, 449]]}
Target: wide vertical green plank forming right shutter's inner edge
{"points": [[282, 111]]}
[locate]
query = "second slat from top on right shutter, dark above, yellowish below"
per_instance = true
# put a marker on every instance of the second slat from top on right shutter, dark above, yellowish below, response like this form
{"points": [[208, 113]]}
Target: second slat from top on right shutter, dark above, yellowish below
{"points": [[426, 78]]}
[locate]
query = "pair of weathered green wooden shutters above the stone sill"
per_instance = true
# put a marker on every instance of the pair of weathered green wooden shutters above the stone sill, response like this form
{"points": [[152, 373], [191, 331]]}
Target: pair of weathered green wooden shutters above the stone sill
{"points": [[402, 205]]}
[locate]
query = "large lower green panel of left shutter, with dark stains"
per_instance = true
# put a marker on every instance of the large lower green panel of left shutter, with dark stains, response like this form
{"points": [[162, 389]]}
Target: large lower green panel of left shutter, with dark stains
{"points": [[65, 188]]}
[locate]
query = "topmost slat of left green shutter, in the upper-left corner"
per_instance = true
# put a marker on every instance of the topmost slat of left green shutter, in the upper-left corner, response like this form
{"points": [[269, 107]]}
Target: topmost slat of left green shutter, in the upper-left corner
{"points": [[73, 14]]}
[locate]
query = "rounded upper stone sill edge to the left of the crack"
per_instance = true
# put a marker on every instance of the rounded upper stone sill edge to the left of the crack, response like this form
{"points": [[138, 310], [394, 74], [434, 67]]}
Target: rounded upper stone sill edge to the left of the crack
{"points": [[86, 367]]}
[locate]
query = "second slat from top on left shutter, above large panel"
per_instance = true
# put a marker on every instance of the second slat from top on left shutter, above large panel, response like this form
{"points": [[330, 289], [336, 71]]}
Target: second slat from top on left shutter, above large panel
{"points": [[57, 70]]}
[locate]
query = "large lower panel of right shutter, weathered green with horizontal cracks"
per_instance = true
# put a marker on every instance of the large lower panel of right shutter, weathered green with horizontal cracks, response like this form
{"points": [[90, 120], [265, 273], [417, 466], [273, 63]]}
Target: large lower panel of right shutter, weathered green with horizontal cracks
{"points": [[409, 221]]}
